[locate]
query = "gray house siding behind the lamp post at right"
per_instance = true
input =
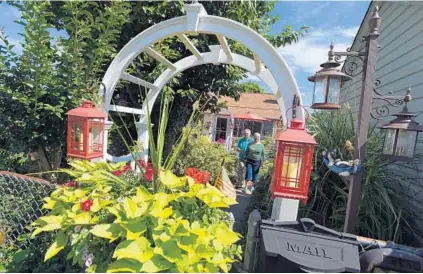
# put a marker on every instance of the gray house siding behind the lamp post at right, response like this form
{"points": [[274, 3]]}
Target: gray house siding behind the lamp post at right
{"points": [[399, 66]]}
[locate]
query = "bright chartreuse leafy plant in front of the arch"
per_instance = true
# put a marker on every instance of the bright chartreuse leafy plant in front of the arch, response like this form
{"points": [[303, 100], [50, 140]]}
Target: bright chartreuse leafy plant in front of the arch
{"points": [[180, 228]]}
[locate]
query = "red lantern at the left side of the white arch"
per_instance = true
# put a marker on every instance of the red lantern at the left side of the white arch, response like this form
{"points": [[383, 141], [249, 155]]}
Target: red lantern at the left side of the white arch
{"points": [[85, 132]]}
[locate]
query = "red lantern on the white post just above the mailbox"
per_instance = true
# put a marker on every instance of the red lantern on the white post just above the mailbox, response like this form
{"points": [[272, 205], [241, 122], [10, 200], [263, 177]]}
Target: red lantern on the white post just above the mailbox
{"points": [[294, 162]]}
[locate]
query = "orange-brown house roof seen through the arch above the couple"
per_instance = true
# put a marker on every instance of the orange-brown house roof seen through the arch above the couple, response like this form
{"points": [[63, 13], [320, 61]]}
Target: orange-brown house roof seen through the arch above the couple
{"points": [[264, 105]]}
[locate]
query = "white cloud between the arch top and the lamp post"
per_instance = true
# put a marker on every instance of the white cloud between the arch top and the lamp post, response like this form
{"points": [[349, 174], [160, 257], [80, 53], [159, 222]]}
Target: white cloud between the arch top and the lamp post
{"points": [[311, 50]]}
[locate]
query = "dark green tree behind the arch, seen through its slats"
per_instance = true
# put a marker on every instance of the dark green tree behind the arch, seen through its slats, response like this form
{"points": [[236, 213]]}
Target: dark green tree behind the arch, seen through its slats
{"points": [[190, 84]]}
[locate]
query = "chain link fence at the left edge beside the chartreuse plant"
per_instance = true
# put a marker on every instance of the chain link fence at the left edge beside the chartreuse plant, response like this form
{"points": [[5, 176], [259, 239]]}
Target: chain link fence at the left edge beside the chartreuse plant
{"points": [[21, 201]]}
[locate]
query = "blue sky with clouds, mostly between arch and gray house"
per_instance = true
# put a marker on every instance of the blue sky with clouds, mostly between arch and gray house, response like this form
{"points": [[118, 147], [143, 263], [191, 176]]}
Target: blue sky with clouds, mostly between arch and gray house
{"points": [[330, 21]]}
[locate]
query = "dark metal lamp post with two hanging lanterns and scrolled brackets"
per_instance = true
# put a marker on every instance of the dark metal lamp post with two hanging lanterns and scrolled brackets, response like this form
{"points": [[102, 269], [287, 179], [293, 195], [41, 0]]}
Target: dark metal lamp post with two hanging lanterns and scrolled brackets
{"points": [[401, 133]]}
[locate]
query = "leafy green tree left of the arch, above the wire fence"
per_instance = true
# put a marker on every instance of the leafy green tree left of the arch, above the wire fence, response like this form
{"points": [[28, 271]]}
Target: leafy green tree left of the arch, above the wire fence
{"points": [[50, 77]]}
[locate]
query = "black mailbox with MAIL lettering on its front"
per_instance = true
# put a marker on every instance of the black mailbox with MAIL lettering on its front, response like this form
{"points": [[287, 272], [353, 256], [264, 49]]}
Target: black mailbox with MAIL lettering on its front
{"points": [[306, 247]]}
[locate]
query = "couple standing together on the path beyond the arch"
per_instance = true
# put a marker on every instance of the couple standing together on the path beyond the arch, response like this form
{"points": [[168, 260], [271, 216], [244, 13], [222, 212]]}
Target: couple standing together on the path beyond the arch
{"points": [[251, 157]]}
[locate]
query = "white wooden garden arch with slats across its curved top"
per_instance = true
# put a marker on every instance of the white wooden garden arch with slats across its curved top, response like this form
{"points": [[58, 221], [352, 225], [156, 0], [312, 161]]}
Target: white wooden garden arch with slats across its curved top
{"points": [[276, 73]]}
